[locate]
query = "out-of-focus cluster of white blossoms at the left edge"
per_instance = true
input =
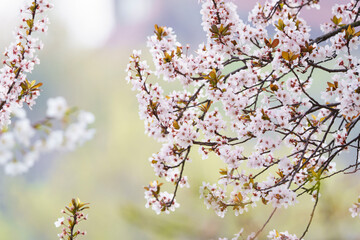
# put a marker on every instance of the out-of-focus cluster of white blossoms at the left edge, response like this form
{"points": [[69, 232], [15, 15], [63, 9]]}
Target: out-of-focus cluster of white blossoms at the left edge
{"points": [[23, 142]]}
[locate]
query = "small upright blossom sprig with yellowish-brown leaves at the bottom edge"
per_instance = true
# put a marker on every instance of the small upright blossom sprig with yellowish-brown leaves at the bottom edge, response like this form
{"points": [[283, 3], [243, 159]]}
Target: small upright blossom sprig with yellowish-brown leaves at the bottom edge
{"points": [[75, 215]]}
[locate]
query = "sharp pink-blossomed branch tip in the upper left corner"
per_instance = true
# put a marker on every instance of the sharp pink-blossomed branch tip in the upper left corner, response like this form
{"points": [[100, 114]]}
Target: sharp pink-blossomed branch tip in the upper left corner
{"points": [[20, 57]]}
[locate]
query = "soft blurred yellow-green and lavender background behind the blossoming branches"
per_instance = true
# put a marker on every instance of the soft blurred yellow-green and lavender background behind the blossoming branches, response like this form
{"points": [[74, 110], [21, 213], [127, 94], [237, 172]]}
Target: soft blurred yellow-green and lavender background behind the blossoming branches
{"points": [[86, 51]]}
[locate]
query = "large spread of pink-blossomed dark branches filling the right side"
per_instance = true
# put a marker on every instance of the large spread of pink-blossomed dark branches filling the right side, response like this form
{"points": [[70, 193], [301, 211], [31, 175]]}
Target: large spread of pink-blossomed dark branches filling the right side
{"points": [[252, 84]]}
